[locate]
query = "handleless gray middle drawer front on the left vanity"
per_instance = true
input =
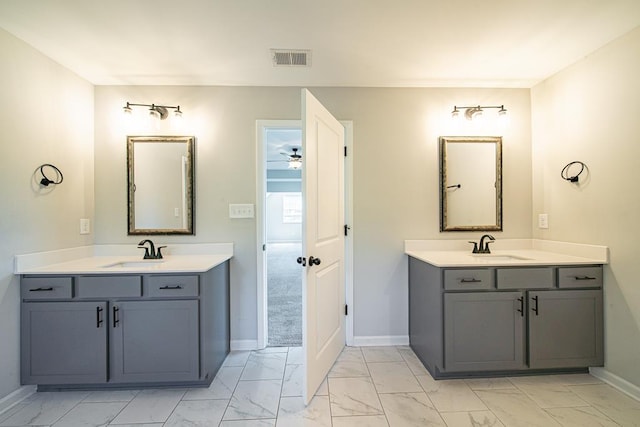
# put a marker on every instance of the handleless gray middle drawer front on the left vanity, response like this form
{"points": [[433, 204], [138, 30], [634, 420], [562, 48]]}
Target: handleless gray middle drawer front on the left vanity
{"points": [[109, 286]]}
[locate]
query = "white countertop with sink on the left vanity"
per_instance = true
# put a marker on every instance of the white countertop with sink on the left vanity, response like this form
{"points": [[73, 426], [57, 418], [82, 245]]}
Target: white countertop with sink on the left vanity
{"points": [[113, 260]]}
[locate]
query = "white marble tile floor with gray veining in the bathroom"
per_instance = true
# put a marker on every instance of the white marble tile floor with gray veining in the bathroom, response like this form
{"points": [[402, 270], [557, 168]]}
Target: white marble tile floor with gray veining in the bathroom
{"points": [[368, 387]]}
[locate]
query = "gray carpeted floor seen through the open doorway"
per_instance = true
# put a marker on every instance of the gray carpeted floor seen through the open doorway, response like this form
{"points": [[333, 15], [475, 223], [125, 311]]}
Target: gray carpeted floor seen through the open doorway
{"points": [[284, 293]]}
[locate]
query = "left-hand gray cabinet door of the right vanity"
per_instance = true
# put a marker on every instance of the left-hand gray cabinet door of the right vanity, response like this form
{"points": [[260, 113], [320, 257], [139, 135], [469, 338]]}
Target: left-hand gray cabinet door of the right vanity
{"points": [[484, 331]]}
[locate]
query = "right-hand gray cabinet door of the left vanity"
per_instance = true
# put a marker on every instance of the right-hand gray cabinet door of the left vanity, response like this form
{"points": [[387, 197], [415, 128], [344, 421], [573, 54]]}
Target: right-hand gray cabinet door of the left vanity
{"points": [[155, 341]]}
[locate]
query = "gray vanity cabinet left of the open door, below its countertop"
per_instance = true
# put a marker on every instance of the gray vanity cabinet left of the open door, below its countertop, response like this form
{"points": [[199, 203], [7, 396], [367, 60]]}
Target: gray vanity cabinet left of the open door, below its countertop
{"points": [[122, 330]]}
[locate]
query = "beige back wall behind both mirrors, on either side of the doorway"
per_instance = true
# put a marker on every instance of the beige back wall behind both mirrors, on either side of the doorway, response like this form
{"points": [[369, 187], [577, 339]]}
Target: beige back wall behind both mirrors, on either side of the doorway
{"points": [[395, 177]]}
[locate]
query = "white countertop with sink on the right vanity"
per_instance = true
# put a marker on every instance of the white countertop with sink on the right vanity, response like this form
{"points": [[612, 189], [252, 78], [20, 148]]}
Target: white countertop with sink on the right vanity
{"points": [[528, 253]]}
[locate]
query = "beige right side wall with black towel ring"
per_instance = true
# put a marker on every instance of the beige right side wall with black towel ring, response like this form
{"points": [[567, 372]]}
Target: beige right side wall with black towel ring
{"points": [[590, 112]]}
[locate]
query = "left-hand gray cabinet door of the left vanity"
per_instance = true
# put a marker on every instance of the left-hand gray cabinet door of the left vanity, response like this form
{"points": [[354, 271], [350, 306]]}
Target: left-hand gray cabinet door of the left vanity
{"points": [[64, 343]]}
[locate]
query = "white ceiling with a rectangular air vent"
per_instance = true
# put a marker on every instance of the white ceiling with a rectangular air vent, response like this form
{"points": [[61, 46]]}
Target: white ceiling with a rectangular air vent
{"points": [[399, 43]]}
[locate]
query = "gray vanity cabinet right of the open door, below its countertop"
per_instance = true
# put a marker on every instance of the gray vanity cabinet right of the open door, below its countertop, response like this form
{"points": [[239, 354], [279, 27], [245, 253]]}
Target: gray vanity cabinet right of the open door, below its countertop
{"points": [[499, 320]]}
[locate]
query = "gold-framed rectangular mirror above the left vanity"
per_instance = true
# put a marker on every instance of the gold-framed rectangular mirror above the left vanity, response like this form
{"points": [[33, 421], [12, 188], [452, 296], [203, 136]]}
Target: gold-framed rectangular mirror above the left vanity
{"points": [[160, 172]]}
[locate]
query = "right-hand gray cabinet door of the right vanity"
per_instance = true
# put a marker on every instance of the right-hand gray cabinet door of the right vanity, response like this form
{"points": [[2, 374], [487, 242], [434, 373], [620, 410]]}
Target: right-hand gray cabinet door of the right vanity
{"points": [[565, 329]]}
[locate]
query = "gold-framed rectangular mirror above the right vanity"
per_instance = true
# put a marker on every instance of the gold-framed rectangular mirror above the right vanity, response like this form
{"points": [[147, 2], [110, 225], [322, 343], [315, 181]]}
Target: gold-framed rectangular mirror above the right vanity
{"points": [[470, 183]]}
